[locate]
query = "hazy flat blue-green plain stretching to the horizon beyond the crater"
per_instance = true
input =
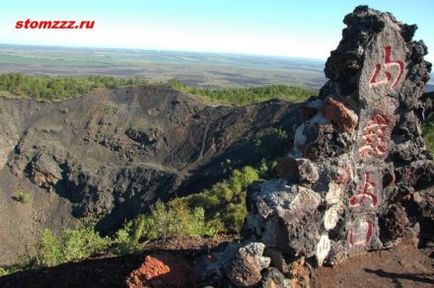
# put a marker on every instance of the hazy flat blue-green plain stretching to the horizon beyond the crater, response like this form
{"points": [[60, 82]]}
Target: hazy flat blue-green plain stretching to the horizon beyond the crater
{"points": [[195, 69]]}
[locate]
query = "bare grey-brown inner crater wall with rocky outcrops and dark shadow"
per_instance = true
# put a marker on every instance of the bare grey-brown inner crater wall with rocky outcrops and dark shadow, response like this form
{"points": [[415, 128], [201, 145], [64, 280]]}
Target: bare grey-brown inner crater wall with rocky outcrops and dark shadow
{"points": [[113, 153]]}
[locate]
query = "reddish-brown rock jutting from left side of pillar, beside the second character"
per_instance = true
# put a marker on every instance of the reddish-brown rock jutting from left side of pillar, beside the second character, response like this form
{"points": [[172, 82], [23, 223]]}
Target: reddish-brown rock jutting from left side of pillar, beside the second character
{"points": [[339, 115]]}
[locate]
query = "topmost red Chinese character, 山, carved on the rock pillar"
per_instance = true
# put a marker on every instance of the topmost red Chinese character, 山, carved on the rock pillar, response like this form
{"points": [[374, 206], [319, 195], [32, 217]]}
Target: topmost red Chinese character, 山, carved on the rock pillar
{"points": [[387, 74]]}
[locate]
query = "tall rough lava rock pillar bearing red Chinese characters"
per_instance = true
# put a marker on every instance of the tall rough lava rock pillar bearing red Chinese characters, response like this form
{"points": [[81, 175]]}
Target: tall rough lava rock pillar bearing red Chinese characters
{"points": [[359, 156]]}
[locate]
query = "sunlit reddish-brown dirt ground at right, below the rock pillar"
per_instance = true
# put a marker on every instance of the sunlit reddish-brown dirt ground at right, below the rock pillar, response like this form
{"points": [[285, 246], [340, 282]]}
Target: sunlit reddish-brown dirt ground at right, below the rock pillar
{"points": [[403, 266]]}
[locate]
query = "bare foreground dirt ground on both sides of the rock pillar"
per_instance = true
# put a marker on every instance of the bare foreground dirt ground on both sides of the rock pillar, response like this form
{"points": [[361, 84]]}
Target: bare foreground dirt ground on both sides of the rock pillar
{"points": [[403, 266]]}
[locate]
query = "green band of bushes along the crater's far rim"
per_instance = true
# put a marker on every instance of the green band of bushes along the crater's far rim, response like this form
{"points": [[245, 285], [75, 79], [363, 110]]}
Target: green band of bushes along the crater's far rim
{"points": [[61, 88]]}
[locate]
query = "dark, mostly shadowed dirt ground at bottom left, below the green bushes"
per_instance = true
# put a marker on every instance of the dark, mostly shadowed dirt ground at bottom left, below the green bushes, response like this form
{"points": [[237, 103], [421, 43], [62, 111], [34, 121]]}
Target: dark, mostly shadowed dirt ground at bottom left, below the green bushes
{"points": [[108, 270]]}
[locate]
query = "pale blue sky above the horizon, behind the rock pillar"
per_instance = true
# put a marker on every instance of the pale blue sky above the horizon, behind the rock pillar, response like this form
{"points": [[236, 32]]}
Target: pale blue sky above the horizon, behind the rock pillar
{"points": [[307, 29]]}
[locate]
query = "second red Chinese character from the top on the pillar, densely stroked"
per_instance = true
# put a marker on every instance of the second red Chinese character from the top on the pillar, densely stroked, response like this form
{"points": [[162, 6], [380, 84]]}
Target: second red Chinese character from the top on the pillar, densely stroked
{"points": [[373, 138]]}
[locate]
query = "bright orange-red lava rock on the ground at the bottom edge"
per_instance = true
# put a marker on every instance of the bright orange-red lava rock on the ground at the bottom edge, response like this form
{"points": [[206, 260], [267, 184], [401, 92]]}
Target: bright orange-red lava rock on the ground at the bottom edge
{"points": [[161, 271]]}
